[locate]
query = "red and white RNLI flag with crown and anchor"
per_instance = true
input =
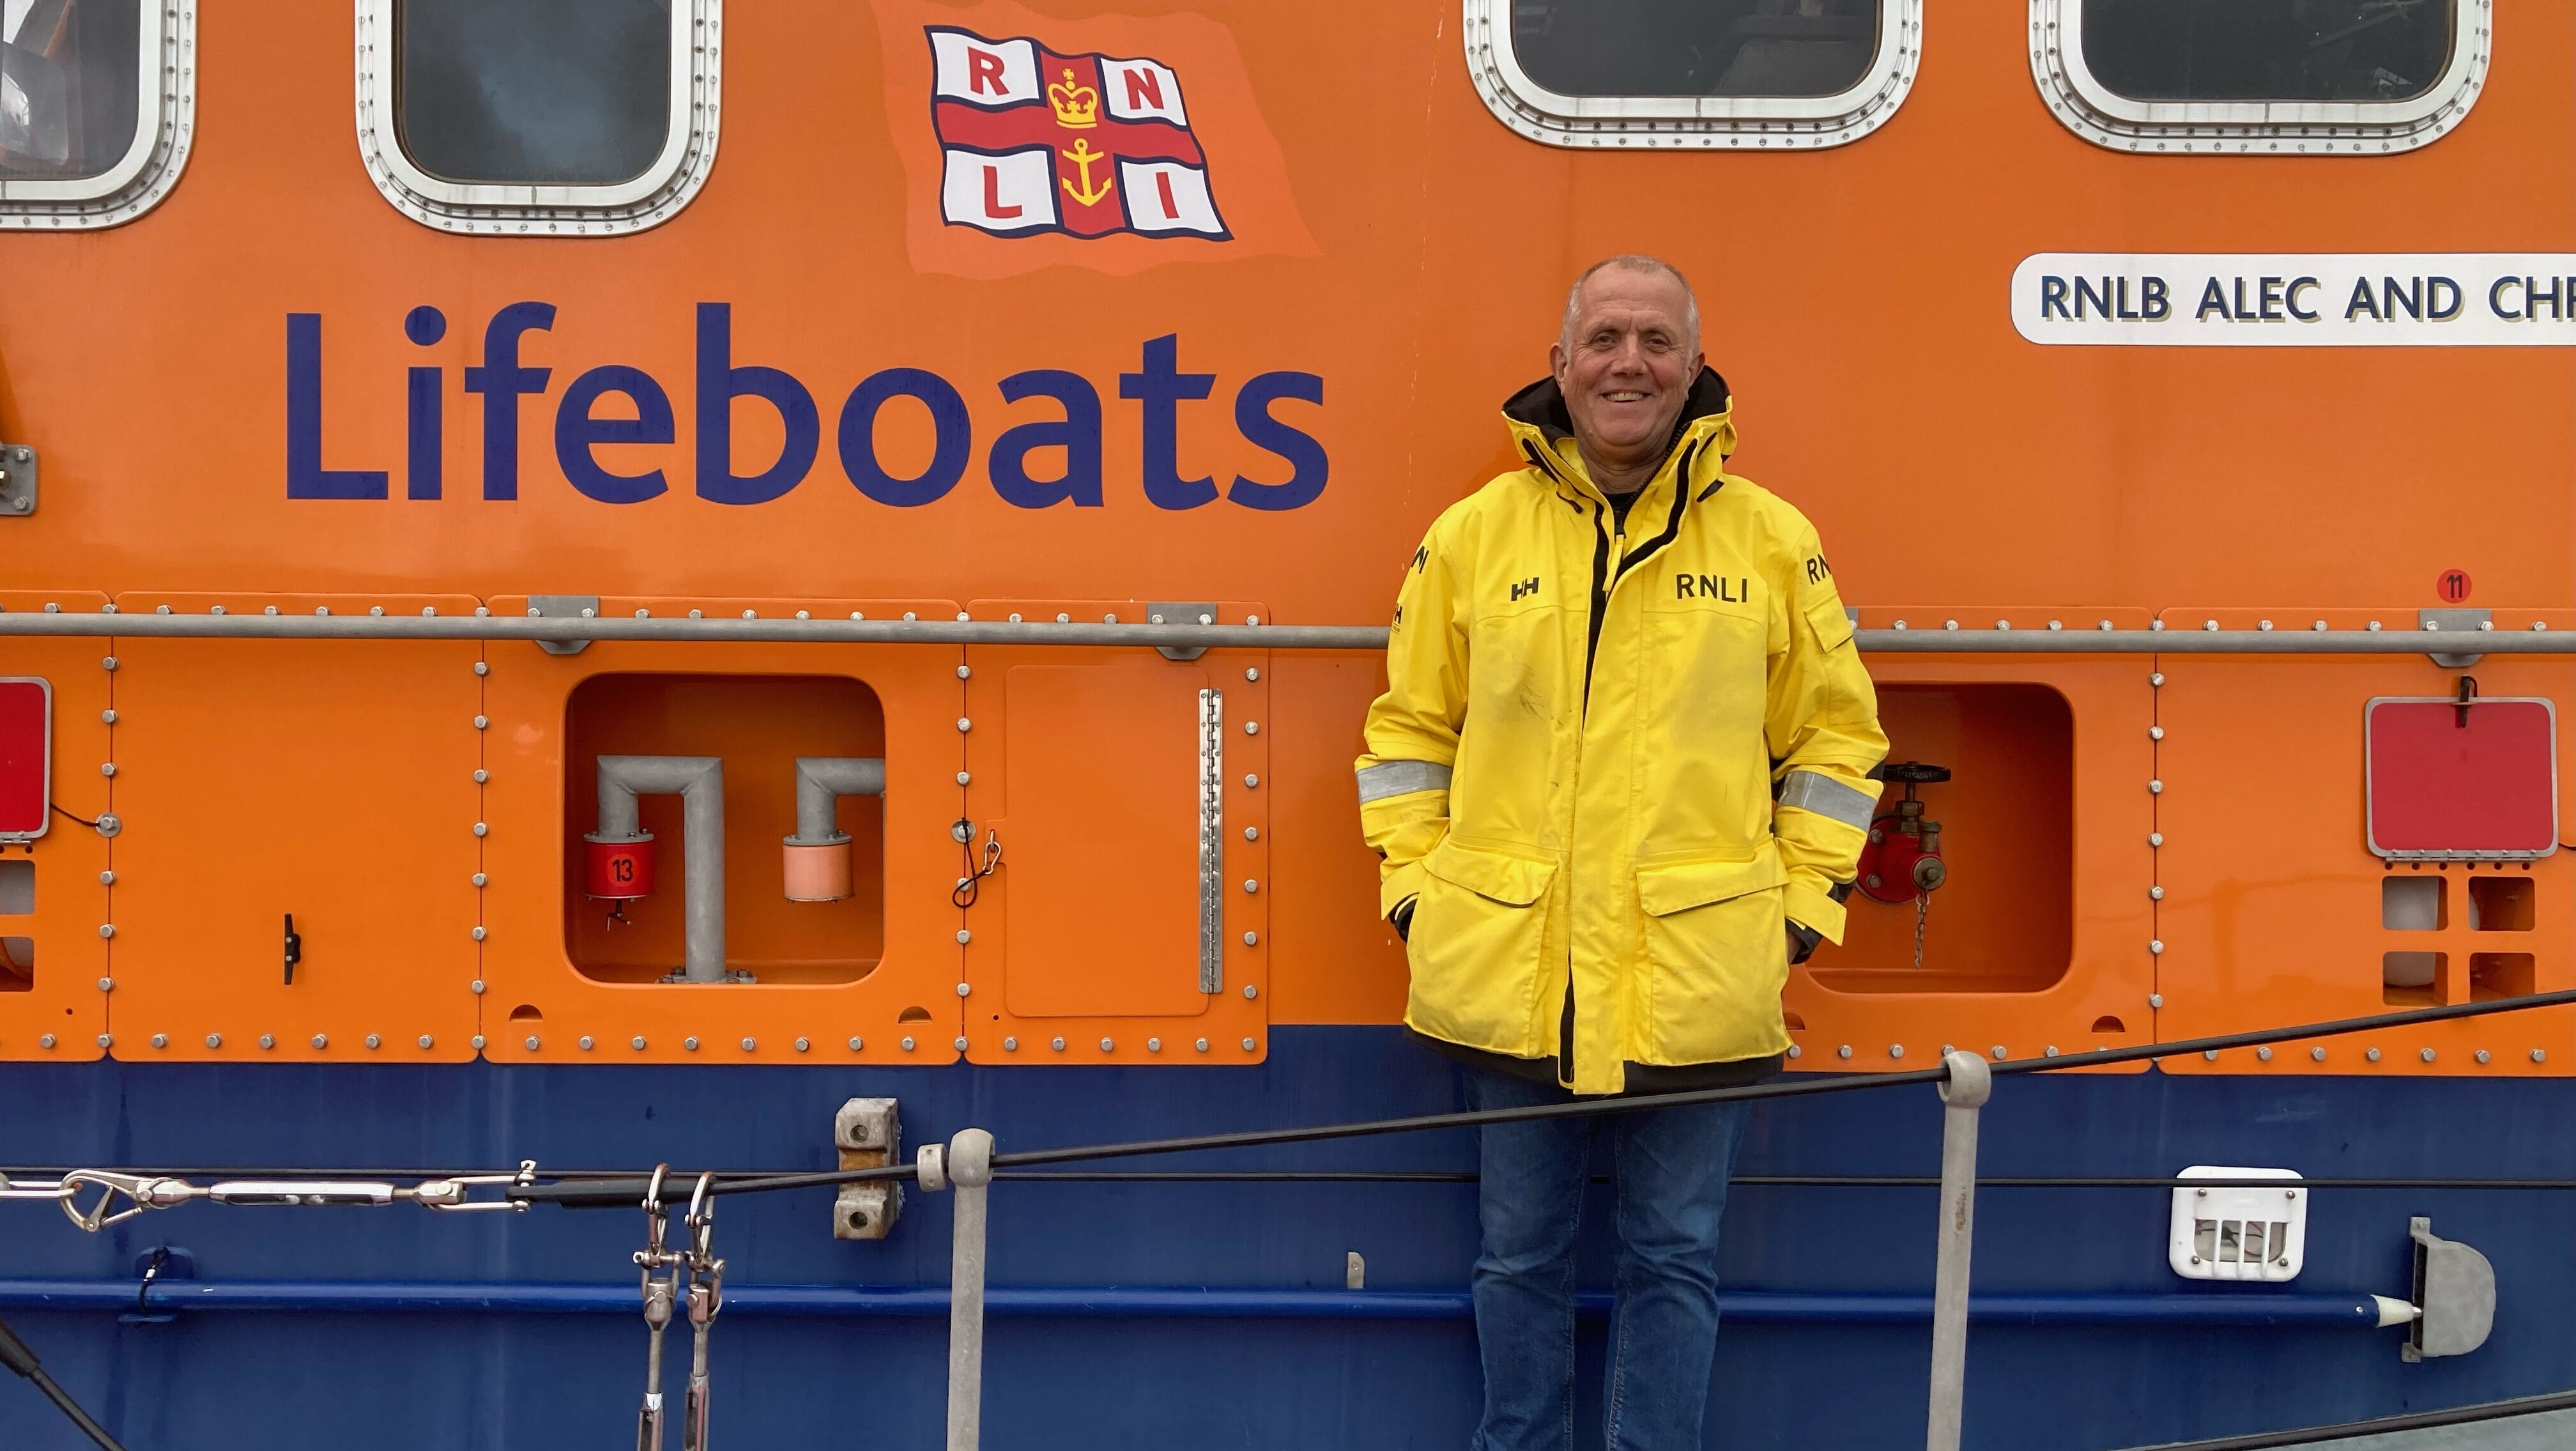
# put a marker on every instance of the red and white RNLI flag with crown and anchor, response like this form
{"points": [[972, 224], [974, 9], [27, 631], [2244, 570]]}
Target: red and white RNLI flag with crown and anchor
{"points": [[1091, 146]]}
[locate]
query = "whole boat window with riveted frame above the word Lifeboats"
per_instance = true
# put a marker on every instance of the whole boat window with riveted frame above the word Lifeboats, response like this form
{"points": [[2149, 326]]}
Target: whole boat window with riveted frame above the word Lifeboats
{"points": [[540, 117]]}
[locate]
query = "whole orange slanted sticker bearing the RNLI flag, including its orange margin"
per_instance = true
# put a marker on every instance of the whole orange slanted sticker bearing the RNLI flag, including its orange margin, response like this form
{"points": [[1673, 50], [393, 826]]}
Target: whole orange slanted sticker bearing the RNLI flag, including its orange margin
{"points": [[1112, 143]]}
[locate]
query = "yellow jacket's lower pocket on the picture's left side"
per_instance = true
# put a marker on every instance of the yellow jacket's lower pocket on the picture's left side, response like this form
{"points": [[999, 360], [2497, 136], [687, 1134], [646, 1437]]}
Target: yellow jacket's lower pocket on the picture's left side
{"points": [[1477, 947]]}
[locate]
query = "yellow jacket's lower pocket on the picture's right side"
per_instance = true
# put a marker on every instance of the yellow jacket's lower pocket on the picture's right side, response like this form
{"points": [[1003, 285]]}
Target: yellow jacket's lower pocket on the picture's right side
{"points": [[1717, 957]]}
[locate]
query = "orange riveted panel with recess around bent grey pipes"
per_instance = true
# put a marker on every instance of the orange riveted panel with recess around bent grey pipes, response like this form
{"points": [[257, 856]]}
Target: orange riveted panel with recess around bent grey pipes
{"points": [[576, 978]]}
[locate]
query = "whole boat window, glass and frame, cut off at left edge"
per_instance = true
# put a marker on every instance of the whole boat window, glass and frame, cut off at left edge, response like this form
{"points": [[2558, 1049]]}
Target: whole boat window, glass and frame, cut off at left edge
{"points": [[94, 128]]}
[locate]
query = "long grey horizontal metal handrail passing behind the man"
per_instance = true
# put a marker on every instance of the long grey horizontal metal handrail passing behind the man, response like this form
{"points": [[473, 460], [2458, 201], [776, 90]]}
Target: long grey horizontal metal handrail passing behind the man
{"points": [[784, 630]]}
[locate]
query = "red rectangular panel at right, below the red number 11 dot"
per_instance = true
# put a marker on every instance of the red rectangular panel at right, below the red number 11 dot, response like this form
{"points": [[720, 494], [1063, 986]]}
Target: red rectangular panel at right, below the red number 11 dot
{"points": [[2461, 785]]}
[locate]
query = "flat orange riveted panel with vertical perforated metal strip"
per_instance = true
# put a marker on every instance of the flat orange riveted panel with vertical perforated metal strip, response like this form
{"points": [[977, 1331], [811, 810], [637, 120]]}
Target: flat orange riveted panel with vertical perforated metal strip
{"points": [[1130, 911]]}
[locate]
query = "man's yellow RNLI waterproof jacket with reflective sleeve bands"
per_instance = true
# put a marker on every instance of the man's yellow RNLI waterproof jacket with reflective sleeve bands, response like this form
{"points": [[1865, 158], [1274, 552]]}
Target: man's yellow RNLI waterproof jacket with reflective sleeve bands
{"points": [[1616, 759]]}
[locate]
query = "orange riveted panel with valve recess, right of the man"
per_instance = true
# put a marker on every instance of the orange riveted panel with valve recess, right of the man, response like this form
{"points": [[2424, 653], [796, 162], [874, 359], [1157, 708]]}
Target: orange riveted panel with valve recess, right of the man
{"points": [[2039, 937]]}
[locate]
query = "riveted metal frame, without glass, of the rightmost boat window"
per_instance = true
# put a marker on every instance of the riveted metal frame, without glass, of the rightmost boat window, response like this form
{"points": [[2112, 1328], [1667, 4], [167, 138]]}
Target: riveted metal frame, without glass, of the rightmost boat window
{"points": [[2248, 128]]}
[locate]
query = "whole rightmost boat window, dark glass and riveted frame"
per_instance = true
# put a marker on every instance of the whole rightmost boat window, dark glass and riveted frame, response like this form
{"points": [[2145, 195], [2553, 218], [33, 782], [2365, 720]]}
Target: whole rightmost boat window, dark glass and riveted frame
{"points": [[2260, 76]]}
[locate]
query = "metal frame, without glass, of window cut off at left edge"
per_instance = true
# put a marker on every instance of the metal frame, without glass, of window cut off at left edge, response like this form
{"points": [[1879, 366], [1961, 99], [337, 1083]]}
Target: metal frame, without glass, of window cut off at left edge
{"points": [[164, 133]]}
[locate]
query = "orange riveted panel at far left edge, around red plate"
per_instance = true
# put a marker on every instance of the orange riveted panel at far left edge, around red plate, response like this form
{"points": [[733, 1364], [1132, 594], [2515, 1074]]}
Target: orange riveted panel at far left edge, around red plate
{"points": [[53, 898]]}
